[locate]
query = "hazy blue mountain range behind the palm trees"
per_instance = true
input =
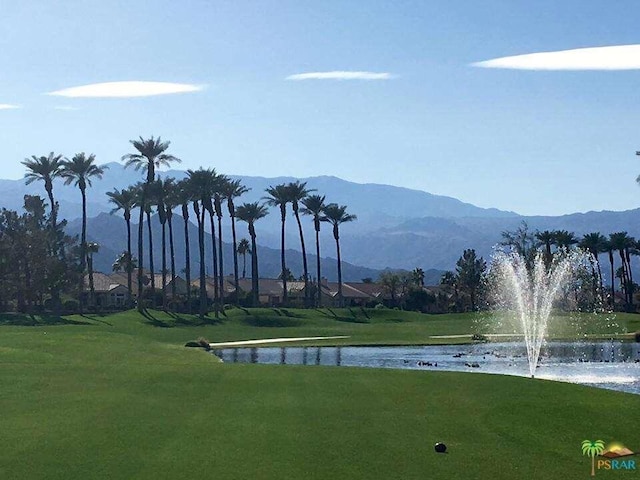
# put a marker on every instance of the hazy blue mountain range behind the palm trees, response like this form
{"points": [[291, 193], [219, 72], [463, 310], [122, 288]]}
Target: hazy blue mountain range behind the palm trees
{"points": [[397, 228]]}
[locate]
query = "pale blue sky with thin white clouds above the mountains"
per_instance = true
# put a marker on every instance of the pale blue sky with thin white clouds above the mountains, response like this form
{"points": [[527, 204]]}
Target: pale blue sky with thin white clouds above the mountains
{"points": [[420, 94]]}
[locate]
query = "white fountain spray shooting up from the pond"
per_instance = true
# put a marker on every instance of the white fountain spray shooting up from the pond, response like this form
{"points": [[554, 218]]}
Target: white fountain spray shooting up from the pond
{"points": [[530, 289]]}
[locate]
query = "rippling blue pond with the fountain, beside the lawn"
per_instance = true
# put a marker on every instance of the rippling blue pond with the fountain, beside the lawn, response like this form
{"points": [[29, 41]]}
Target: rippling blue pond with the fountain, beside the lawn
{"points": [[611, 365]]}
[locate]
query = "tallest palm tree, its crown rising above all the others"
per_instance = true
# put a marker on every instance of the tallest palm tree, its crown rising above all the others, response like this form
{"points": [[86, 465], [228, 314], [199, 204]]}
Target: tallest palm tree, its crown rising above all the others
{"points": [[150, 153]]}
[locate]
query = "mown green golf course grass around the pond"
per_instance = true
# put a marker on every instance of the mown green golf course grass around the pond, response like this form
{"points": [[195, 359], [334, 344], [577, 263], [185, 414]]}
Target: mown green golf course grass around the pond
{"points": [[120, 397]]}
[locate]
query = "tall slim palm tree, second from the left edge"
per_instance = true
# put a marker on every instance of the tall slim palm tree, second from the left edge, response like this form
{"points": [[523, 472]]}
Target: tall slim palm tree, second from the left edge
{"points": [[81, 169]]}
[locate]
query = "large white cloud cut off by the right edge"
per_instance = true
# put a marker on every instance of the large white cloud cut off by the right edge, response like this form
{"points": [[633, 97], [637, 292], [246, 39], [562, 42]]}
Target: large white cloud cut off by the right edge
{"points": [[618, 57]]}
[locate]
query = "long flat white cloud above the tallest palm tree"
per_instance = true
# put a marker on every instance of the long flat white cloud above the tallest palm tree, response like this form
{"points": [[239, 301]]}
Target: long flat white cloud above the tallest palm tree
{"points": [[126, 89]]}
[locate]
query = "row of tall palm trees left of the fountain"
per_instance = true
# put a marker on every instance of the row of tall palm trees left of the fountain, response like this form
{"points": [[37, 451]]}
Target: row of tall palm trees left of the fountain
{"points": [[204, 191]]}
